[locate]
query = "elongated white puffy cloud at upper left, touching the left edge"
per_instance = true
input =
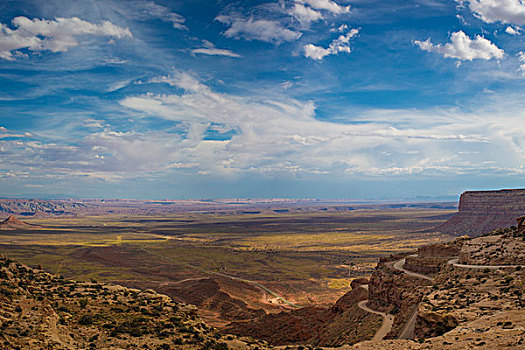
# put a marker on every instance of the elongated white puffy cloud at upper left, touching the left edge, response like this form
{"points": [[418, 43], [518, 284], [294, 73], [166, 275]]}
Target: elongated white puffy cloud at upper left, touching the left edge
{"points": [[56, 35]]}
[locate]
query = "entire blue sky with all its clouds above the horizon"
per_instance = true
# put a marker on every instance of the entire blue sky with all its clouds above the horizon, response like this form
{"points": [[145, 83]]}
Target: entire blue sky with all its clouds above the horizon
{"points": [[298, 98]]}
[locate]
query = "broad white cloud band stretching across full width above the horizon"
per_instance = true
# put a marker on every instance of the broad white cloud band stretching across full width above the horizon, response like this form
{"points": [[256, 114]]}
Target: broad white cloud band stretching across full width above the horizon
{"points": [[276, 136]]}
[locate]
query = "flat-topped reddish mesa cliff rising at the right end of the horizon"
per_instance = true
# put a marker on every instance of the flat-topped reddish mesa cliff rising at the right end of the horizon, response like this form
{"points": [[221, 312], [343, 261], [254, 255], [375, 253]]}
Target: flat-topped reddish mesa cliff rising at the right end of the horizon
{"points": [[483, 211]]}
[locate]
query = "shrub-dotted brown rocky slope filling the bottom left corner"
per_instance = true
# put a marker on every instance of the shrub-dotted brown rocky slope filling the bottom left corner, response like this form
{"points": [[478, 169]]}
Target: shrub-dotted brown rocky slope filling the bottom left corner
{"points": [[42, 311]]}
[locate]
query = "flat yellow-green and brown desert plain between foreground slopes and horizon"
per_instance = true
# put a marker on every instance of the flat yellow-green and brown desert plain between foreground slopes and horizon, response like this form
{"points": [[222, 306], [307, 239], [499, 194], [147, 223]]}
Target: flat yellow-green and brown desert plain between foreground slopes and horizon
{"points": [[231, 262]]}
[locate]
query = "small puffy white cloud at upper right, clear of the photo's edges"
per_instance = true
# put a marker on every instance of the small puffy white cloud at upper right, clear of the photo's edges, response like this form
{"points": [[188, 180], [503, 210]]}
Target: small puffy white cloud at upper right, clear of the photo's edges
{"points": [[462, 47]]}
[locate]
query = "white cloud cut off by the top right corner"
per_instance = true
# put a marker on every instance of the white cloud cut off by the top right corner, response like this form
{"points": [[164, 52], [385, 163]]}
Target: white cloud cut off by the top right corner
{"points": [[505, 11]]}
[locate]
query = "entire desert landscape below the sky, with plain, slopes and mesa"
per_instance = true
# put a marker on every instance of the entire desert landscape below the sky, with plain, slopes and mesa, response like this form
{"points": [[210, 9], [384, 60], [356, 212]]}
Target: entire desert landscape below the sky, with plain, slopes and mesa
{"points": [[264, 274]]}
